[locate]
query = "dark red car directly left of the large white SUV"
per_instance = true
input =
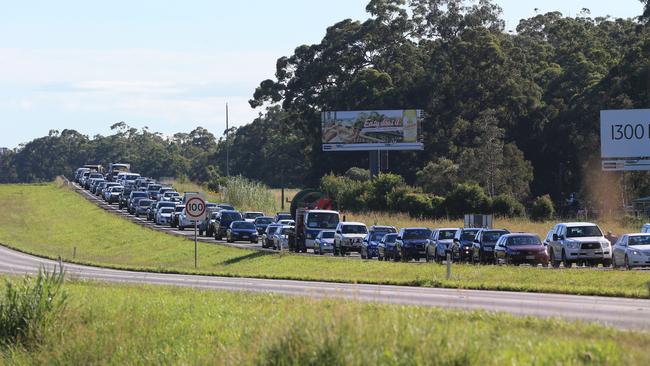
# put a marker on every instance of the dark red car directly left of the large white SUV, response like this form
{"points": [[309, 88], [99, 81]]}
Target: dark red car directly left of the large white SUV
{"points": [[520, 248]]}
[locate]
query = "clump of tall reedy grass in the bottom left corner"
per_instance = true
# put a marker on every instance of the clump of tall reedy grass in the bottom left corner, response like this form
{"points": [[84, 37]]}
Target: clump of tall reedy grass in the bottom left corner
{"points": [[28, 308]]}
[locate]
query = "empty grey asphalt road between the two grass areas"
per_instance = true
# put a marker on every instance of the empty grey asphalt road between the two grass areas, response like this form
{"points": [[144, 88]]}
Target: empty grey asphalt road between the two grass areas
{"points": [[616, 312]]}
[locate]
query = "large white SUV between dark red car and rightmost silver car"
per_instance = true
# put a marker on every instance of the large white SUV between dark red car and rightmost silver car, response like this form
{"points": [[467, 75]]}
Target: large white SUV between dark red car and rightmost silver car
{"points": [[579, 242]]}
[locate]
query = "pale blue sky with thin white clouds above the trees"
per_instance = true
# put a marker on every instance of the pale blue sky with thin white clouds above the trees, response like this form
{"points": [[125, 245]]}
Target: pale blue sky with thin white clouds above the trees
{"points": [[169, 65]]}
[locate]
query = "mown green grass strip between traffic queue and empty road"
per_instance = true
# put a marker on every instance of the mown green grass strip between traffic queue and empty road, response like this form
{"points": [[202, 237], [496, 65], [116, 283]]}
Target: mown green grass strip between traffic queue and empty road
{"points": [[50, 220]]}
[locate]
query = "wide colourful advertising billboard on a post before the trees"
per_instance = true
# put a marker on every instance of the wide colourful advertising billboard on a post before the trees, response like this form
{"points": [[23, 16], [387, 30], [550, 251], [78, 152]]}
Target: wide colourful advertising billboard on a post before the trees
{"points": [[372, 130]]}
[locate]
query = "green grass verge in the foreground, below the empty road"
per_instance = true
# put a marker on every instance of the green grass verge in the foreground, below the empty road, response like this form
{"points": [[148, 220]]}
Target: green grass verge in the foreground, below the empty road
{"points": [[146, 325]]}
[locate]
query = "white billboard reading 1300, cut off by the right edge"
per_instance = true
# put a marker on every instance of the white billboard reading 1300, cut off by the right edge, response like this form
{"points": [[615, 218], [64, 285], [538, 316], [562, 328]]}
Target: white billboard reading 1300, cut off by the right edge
{"points": [[625, 133]]}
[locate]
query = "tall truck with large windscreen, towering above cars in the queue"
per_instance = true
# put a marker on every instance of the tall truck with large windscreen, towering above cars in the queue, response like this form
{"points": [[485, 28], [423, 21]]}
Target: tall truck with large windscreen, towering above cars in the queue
{"points": [[309, 223]]}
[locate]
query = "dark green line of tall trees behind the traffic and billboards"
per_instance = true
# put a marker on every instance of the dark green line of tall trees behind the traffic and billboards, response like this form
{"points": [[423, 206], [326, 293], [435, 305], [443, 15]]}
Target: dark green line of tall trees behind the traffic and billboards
{"points": [[515, 112]]}
